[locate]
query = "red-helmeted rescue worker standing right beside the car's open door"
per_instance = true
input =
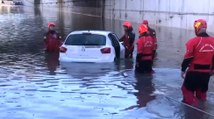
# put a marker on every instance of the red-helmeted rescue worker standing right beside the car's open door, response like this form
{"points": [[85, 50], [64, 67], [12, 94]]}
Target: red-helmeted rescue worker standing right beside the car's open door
{"points": [[128, 39]]}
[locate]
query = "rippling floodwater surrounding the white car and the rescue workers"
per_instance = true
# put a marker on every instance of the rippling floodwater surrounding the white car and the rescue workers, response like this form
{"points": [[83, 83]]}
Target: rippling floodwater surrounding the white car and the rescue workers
{"points": [[35, 85]]}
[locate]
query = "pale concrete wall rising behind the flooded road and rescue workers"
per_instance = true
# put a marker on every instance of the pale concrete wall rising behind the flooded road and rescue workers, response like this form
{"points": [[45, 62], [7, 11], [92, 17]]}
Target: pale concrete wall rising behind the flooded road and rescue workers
{"points": [[170, 13]]}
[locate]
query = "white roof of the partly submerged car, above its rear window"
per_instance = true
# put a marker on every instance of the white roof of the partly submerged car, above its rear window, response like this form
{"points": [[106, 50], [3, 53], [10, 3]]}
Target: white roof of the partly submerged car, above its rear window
{"points": [[98, 32]]}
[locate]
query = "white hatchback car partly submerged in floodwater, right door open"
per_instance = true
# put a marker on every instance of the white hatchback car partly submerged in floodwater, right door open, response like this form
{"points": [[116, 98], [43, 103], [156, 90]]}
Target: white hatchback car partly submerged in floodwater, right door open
{"points": [[91, 46]]}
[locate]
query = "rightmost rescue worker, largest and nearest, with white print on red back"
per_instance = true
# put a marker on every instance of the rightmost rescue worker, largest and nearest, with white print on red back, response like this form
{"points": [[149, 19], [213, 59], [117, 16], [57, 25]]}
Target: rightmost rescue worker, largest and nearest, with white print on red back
{"points": [[197, 65]]}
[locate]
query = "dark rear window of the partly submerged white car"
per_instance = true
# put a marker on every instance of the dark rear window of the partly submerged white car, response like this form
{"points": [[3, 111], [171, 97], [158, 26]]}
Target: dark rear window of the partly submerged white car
{"points": [[86, 39]]}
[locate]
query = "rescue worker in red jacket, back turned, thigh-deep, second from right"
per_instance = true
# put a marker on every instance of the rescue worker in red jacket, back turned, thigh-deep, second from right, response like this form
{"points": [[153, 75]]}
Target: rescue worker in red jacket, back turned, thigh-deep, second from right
{"points": [[145, 47]]}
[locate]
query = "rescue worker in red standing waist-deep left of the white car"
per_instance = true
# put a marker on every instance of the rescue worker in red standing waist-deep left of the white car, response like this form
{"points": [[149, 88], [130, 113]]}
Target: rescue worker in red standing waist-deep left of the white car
{"points": [[52, 39]]}
